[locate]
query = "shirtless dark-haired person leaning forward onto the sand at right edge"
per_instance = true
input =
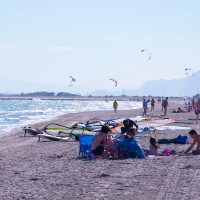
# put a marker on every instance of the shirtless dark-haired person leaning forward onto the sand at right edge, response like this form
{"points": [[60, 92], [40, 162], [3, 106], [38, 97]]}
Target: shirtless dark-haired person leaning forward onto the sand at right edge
{"points": [[196, 139]]}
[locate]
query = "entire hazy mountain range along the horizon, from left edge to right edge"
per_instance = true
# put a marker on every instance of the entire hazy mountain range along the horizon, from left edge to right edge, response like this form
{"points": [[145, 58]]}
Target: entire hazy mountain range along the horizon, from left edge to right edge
{"points": [[188, 86]]}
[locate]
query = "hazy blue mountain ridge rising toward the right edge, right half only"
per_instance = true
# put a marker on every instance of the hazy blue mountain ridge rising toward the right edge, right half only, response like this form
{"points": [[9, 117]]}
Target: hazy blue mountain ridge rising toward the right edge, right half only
{"points": [[188, 86]]}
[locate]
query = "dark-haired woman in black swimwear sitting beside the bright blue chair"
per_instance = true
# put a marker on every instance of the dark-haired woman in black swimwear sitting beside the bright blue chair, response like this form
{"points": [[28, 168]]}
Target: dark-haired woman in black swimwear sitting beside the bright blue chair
{"points": [[100, 143]]}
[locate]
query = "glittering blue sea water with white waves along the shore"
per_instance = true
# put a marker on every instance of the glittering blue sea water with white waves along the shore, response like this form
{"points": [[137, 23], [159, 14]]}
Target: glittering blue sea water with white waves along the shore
{"points": [[18, 113]]}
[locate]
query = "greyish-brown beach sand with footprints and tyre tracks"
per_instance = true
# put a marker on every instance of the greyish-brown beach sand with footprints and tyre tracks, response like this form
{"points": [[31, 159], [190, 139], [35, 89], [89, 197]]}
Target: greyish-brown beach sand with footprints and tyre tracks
{"points": [[53, 170]]}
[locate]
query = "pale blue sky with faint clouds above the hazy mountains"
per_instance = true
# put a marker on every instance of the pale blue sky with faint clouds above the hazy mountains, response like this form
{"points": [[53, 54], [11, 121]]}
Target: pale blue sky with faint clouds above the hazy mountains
{"points": [[48, 41]]}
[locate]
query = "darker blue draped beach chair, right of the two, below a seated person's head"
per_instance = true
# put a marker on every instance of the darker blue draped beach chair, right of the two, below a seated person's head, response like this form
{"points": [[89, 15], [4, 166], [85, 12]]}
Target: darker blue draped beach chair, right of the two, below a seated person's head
{"points": [[129, 148]]}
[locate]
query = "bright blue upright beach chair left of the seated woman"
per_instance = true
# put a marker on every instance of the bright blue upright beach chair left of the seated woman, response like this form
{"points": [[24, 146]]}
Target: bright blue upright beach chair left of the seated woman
{"points": [[84, 144]]}
